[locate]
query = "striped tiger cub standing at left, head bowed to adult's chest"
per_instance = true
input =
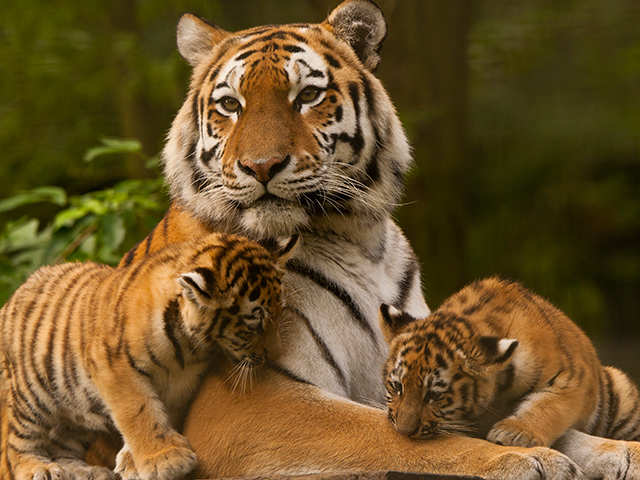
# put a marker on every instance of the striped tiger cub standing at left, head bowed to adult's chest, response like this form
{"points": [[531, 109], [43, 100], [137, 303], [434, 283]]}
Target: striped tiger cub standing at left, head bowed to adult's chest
{"points": [[87, 347]]}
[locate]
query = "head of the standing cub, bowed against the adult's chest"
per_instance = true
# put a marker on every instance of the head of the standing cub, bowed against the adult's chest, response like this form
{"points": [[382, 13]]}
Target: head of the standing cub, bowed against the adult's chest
{"points": [[231, 297]]}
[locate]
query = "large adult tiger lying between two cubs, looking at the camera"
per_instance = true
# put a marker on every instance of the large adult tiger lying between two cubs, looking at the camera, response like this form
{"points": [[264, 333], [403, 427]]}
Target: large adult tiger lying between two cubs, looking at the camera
{"points": [[286, 129]]}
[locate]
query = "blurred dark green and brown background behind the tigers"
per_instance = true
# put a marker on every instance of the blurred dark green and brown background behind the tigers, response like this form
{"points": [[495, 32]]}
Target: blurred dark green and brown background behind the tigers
{"points": [[524, 116]]}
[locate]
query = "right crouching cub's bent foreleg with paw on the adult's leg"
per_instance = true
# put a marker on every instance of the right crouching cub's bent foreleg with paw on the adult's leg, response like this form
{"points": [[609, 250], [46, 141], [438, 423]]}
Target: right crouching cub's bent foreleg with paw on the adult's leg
{"points": [[539, 420]]}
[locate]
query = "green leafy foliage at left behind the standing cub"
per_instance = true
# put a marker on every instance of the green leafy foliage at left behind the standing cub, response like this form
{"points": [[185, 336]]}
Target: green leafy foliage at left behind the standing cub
{"points": [[100, 225]]}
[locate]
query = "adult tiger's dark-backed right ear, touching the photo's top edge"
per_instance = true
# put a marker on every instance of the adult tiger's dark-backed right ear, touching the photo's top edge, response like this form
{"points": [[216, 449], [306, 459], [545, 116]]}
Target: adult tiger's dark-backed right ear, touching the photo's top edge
{"points": [[361, 24]]}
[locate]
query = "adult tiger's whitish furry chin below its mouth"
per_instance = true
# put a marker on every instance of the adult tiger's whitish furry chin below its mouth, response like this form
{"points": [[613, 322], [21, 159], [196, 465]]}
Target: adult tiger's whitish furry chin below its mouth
{"points": [[273, 218]]}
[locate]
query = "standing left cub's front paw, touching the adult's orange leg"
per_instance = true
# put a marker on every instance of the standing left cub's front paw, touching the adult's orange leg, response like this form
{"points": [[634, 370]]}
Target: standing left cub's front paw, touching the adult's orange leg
{"points": [[173, 460]]}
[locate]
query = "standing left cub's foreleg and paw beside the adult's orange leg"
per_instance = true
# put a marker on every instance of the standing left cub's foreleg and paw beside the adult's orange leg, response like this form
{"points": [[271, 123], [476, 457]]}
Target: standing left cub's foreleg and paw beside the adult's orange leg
{"points": [[157, 451]]}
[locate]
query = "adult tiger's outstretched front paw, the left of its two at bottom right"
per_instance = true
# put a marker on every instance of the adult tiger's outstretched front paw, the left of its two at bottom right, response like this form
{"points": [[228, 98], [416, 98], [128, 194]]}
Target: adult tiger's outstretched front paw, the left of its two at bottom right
{"points": [[537, 463]]}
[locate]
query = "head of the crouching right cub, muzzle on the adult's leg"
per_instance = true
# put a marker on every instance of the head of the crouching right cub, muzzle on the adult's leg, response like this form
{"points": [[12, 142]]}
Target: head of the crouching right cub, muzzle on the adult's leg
{"points": [[440, 376]]}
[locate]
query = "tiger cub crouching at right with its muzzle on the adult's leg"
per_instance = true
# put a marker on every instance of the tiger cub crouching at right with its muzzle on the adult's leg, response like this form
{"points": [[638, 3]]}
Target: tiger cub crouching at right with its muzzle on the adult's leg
{"points": [[496, 358]]}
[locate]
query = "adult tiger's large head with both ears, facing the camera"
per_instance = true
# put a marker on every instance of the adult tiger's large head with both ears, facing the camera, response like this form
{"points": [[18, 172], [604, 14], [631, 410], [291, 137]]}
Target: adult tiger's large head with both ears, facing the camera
{"points": [[285, 125]]}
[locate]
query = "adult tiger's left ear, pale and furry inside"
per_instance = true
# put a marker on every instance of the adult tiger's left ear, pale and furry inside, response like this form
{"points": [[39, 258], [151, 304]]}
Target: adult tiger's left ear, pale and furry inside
{"points": [[196, 38]]}
